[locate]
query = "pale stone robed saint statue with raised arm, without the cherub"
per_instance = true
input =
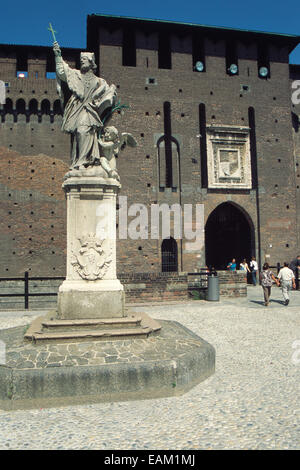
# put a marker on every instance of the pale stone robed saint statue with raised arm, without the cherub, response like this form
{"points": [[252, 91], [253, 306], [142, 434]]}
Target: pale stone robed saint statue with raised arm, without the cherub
{"points": [[90, 98]]}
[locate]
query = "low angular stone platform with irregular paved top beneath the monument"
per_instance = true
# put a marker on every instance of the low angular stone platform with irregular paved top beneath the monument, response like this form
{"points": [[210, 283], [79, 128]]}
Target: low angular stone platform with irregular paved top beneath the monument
{"points": [[57, 373]]}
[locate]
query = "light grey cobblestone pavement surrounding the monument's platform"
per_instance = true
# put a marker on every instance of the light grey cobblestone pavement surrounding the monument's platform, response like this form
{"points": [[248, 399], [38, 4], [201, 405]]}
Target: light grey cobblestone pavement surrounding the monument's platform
{"points": [[251, 402]]}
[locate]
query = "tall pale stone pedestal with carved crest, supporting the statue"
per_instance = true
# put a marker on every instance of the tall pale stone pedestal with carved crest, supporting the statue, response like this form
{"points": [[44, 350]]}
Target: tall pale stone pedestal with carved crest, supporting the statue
{"points": [[91, 289]]}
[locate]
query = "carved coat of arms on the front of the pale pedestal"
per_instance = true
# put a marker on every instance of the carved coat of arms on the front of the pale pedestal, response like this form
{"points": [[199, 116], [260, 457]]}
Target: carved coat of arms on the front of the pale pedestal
{"points": [[91, 262]]}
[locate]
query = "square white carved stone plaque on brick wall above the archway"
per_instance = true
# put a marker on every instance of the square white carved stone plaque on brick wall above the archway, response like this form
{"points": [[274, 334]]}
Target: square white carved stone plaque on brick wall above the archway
{"points": [[228, 157]]}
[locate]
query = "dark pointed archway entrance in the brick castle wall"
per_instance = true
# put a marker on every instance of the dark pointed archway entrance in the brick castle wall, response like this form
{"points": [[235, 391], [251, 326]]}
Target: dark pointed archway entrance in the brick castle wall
{"points": [[229, 233]]}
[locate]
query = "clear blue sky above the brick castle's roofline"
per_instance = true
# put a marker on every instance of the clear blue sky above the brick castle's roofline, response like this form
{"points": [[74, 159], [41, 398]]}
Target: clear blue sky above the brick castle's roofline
{"points": [[26, 22]]}
